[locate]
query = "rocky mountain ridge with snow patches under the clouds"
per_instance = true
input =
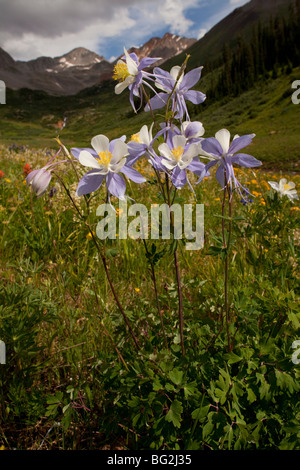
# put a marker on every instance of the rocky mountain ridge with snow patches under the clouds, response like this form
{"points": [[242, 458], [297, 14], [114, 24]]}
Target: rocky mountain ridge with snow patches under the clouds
{"points": [[79, 68]]}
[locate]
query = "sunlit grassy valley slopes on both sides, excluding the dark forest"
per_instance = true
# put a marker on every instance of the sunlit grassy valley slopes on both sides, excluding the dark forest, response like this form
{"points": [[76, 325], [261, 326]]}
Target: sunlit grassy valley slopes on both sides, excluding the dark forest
{"points": [[266, 110]]}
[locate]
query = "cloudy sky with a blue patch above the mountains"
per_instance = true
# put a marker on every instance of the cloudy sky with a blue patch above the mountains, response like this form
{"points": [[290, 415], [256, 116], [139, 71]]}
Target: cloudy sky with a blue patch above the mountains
{"points": [[34, 28]]}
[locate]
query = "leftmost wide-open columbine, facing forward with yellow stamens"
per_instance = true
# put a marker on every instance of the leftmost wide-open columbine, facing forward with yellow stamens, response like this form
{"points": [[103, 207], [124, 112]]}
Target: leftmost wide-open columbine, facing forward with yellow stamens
{"points": [[107, 159]]}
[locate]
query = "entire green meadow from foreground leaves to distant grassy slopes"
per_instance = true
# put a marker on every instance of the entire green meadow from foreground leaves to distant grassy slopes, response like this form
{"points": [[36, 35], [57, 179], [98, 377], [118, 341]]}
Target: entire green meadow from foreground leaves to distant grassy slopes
{"points": [[74, 378]]}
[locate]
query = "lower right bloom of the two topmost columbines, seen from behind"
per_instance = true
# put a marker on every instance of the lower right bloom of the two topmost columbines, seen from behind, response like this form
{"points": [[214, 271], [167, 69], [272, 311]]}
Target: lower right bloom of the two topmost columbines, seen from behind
{"points": [[179, 86]]}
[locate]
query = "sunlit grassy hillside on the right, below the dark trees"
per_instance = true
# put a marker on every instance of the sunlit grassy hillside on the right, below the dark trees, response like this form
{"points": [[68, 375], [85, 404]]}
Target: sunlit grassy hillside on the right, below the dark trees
{"points": [[266, 110]]}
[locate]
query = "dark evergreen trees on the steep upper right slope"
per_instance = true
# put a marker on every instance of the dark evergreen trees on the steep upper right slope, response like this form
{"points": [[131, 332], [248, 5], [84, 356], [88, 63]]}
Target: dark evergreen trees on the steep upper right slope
{"points": [[273, 46]]}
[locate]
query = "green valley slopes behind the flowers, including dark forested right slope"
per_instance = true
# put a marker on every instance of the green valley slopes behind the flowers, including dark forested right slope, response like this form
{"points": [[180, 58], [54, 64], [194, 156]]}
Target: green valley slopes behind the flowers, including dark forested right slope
{"points": [[249, 91]]}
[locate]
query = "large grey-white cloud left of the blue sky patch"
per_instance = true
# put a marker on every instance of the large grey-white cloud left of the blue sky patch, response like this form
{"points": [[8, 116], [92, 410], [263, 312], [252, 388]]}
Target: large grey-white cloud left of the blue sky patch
{"points": [[67, 24]]}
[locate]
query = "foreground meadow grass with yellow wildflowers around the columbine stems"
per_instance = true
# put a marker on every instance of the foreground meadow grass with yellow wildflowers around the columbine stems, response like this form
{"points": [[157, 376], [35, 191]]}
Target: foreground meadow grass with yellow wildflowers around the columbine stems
{"points": [[65, 336]]}
